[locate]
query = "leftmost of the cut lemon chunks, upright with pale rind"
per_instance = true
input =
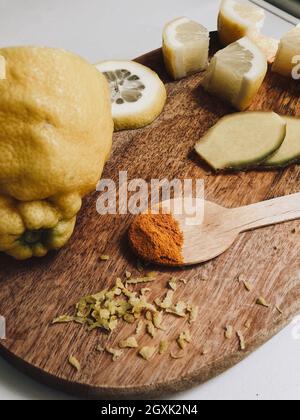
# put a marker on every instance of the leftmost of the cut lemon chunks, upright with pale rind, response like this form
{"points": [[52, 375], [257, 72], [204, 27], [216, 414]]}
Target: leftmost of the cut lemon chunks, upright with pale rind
{"points": [[185, 47]]}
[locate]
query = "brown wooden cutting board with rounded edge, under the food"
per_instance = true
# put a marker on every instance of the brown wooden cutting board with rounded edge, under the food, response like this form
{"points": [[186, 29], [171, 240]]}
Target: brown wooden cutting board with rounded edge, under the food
{"points": [[34, 292]]}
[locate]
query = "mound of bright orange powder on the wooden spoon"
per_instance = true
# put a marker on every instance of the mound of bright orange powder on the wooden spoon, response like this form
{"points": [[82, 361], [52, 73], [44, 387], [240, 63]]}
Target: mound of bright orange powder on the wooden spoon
{"points": [[157, 238]]}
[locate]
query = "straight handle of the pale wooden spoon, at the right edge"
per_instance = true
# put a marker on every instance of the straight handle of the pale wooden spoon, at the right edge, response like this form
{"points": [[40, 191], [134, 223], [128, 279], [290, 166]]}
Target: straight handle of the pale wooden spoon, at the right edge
{"points": [[268, 213]]}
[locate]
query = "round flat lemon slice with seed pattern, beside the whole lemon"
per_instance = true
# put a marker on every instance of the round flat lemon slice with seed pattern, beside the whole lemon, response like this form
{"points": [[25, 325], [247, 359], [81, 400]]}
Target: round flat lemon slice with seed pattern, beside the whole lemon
{"points": [[138, 95]]}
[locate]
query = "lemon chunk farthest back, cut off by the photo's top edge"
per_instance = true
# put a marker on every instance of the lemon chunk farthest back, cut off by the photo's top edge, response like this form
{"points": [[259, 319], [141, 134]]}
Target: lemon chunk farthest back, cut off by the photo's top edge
{"points": [[237, 20]]}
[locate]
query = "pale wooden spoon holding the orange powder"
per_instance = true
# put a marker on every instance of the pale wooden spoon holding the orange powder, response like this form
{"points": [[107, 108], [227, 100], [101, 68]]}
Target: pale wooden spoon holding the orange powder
{"points": [[221, 226]]}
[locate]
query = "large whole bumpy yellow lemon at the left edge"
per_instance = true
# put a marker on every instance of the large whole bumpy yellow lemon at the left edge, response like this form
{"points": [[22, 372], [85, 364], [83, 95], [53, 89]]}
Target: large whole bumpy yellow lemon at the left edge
{"points": [[55, 137]]}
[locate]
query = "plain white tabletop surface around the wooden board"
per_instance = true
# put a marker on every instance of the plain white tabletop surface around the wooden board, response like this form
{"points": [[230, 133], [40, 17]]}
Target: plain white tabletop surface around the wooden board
{"points": [[124, 29]]}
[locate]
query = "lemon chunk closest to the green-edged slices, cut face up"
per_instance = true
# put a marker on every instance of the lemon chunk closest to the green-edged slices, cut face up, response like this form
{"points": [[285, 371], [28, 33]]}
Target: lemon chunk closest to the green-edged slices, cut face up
{"points": [[236, 73]]}
